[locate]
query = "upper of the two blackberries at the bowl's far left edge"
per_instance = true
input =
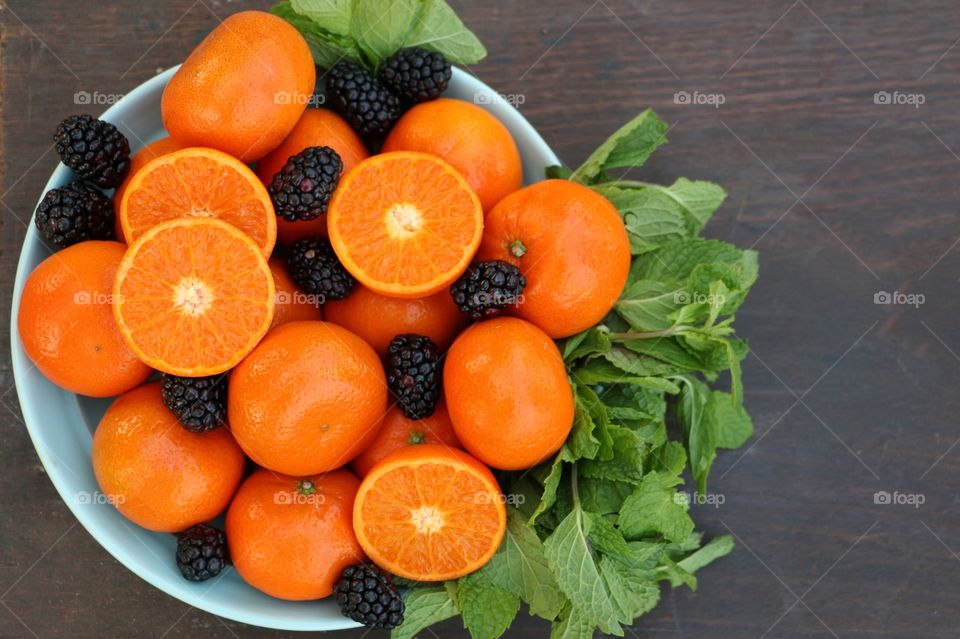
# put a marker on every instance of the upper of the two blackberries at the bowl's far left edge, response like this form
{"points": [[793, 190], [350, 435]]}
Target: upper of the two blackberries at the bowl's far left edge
{"points": [[94, 149]]}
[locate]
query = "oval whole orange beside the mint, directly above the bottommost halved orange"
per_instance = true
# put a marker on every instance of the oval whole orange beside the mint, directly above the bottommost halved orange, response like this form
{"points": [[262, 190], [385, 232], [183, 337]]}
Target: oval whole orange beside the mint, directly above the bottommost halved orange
{"points": [[507, 393]]}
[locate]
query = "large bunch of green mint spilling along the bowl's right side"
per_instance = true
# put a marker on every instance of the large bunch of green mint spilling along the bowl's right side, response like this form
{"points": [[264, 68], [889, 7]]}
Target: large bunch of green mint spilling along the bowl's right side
{"points": [[604, 523]]}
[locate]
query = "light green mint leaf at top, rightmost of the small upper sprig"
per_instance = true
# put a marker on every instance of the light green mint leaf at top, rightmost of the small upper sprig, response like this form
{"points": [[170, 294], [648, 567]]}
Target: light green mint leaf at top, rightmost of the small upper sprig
{"points": [[438, 28]]}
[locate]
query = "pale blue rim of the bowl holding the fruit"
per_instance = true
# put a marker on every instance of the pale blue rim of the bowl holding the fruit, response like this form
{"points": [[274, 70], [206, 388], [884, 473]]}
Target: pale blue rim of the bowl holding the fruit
{"points": [[103, 529]]}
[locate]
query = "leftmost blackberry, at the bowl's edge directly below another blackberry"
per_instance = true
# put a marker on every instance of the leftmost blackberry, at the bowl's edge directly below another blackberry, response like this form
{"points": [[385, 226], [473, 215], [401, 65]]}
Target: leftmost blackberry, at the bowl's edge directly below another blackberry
{"points": [[74, 213]]}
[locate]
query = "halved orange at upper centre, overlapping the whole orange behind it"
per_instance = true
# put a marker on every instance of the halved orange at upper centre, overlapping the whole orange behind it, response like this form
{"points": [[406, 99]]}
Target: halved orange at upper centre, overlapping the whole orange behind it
{"points": [[405, 224]]}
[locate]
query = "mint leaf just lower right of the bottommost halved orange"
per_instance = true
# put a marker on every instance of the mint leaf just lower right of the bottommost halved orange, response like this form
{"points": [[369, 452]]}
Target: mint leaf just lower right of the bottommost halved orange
{"points": [[520, 567]]}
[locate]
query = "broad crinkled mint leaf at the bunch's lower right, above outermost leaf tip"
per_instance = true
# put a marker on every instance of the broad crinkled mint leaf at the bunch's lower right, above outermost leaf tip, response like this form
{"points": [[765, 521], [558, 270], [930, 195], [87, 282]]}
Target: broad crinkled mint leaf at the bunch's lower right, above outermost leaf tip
{"points": [[653, 508]]}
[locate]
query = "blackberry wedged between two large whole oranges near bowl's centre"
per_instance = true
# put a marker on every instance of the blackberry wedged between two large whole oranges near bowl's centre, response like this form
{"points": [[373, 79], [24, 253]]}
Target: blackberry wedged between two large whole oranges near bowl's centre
{"points": [[413, 364]]}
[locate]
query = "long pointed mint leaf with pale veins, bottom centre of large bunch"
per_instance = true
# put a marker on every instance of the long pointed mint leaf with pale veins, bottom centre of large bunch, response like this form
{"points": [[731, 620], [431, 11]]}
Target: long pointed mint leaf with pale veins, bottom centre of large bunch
{"points": [[571, 558]]}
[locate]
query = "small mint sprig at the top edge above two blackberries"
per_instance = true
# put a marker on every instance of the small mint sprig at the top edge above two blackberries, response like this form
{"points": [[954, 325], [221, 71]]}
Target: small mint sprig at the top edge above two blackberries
{"points": [[367, 32]]}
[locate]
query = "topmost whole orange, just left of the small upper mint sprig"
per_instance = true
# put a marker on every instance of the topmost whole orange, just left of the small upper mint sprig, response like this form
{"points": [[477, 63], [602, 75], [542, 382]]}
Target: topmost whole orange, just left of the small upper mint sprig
{"points": [[243, 88]]}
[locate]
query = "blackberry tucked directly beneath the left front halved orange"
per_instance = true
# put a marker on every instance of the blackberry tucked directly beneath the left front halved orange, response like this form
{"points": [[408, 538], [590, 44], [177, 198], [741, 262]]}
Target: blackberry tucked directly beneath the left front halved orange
{"points": [[200, 403]]}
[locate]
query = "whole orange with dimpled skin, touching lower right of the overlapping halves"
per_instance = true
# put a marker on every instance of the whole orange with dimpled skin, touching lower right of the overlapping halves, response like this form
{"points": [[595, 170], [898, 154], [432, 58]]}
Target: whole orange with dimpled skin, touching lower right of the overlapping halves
{"points": [[308, 398]]}
